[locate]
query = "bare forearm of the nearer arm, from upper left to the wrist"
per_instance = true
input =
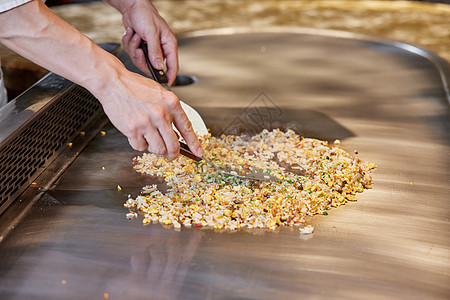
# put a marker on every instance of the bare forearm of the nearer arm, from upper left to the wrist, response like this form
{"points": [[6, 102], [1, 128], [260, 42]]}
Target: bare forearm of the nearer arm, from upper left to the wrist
{"points": [[35, 32]]}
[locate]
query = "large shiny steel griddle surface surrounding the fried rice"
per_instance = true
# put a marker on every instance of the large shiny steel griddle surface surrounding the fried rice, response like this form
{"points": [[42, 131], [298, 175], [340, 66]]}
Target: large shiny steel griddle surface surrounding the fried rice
{"points": [[388, 100]]}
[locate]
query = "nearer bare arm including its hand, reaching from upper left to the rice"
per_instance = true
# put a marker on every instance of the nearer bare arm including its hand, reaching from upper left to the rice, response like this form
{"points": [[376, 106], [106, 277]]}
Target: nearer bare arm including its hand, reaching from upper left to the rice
{"points": [[139, 107]]}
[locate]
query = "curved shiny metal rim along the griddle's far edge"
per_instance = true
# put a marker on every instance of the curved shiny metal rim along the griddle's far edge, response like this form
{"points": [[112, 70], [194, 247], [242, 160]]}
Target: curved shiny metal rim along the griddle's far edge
{"points": [[440, 64]]}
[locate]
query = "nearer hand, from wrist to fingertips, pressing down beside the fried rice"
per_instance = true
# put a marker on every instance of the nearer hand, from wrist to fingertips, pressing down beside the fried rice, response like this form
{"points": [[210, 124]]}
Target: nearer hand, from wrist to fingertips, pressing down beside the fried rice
{"points": [[144, 112]]}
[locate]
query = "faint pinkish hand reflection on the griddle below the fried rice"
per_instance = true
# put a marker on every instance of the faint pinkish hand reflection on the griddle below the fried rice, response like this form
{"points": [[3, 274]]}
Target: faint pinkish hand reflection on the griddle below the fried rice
{"points": [[158, 266]]}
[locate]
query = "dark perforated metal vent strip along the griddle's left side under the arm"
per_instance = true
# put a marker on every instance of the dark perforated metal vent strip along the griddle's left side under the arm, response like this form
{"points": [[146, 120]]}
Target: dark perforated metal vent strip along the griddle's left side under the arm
{"points": [[34, 146]]}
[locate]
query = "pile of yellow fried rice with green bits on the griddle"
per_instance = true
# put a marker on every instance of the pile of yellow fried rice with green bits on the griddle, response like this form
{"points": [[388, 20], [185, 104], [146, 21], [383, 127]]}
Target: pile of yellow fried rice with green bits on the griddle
{"points": [[311, 177]]}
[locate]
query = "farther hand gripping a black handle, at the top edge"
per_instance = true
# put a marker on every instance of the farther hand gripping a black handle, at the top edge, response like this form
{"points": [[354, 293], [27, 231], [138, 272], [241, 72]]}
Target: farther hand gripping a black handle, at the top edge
{"points": [[142, 20]]}
